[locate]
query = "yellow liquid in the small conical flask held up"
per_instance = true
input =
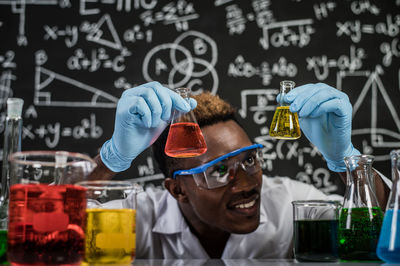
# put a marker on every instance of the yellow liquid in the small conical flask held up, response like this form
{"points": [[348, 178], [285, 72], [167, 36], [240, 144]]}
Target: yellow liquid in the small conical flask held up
{"points": [[285, 124]]}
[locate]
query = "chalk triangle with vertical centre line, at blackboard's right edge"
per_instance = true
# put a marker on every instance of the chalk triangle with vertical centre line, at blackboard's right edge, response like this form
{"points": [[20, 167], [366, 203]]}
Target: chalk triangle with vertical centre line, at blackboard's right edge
{"points": [[374, 112]]}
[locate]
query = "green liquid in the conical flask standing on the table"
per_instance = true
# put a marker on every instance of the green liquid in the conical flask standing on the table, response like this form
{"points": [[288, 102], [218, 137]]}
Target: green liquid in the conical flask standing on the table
{"points": [[359, 233]]}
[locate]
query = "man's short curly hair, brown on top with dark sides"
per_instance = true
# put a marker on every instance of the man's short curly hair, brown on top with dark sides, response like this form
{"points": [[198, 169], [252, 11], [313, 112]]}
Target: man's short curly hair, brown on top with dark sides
{"points": [[210, 110]]}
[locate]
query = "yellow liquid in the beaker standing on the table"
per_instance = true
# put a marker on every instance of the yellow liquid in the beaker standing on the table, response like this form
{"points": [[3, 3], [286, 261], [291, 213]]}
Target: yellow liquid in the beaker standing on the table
{"points": [[110, 236]]}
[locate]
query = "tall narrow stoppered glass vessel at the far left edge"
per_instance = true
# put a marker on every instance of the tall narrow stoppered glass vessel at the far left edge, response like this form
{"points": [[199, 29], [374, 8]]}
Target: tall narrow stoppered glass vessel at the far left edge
{"points": [[12, 143]]}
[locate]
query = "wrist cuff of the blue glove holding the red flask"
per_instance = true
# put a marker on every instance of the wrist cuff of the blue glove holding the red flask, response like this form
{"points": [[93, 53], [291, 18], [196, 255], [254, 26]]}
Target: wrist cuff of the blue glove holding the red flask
{"points": [[111, 159]]}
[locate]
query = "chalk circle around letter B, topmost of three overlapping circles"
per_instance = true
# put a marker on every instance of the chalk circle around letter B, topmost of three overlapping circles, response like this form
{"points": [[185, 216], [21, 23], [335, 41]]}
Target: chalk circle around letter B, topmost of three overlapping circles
{"points": [[204, 37]]}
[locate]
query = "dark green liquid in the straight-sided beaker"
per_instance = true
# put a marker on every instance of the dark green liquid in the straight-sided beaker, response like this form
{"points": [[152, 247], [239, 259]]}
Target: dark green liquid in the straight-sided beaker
{"points": [[316, 240]]}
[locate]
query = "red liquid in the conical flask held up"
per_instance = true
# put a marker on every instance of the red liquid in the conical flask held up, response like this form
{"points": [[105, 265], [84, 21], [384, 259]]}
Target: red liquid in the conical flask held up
{"points": [[185, 140]]}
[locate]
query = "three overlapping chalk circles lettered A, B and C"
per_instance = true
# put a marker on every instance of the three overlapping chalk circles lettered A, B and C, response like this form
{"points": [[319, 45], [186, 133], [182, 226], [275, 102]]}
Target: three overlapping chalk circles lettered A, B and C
{"points": [[189, 61]]}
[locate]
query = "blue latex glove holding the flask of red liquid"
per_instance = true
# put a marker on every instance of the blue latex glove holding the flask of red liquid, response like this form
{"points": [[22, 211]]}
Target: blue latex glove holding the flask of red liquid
{"points": [[142, 114]]}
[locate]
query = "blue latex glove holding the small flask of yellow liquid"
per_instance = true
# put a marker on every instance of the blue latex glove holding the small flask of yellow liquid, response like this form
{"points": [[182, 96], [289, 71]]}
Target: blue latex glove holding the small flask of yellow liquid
{"points": [[325, 115]]}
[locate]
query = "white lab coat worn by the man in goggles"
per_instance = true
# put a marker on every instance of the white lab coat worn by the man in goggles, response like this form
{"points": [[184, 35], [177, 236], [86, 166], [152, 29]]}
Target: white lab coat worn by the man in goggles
{"points": [[162, 232]]}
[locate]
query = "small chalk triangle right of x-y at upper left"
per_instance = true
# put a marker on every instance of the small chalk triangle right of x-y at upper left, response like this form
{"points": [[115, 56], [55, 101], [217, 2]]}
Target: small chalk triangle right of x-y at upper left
{"points": [[105, 34]]}
